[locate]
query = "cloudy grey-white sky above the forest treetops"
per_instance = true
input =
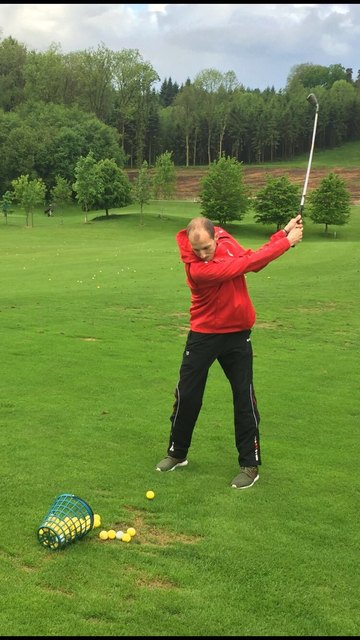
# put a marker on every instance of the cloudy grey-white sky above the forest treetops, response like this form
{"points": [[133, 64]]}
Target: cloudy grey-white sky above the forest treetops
{"points": [[259, 42]]}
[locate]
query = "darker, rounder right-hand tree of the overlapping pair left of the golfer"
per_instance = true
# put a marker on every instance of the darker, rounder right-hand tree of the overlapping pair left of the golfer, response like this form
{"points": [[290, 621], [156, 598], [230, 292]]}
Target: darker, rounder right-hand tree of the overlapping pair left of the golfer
{"points": [[116, 187]]}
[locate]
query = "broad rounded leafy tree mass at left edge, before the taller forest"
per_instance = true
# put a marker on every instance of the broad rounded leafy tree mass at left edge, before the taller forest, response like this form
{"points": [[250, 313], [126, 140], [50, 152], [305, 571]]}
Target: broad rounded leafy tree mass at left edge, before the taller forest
{"points": [[46, 140]]}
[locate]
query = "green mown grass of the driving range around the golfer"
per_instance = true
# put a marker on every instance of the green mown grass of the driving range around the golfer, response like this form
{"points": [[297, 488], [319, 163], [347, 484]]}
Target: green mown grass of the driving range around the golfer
{"points": [[93, 319]]}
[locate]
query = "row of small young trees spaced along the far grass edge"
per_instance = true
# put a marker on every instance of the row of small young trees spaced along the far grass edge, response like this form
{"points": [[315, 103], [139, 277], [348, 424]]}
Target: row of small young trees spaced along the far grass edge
{"points": [[224, 196]]}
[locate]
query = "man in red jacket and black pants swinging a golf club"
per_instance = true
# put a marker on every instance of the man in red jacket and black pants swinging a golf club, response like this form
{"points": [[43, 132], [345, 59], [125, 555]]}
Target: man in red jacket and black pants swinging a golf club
{"points": [[221, 318]]}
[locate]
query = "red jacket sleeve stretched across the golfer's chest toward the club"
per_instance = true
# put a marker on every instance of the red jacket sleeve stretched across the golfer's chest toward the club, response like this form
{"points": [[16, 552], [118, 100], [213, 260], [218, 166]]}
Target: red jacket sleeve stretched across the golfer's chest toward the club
{"points": [[219, 270]]}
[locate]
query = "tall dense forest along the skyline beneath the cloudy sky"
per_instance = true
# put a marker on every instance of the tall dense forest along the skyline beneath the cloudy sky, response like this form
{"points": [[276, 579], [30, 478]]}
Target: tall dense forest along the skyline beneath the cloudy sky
{"points": [[52, 94]]}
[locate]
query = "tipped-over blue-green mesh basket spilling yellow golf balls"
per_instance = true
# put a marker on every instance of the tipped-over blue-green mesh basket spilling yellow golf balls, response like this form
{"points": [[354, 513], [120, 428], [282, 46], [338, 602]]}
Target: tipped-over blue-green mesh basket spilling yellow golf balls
{"points": [[68, 519]]}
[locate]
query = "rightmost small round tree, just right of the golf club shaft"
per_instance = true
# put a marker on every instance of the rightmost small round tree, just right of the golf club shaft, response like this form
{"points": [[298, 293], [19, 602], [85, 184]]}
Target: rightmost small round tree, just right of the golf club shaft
{"points": [[330, 202]]}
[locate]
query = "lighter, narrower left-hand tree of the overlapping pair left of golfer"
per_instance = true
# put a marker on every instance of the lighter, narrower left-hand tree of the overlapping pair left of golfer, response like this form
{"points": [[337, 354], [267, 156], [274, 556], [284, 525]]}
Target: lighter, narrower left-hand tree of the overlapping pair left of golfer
{"points": [[88, 185]]}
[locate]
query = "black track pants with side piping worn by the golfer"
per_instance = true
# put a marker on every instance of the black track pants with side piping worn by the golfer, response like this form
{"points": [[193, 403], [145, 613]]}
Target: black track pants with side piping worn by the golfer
{"points": [[234, 353]]}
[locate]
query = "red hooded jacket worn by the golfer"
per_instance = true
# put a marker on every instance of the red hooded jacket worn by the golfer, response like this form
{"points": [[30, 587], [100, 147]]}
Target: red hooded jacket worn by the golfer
{"points": [[220, 302]]}
